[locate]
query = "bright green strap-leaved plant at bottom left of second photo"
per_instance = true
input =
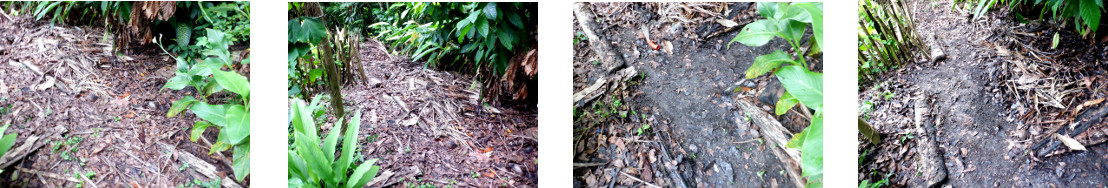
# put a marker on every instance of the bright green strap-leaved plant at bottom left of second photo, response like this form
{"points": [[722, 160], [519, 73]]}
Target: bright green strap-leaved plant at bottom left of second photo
{"points": [[314, 166]]}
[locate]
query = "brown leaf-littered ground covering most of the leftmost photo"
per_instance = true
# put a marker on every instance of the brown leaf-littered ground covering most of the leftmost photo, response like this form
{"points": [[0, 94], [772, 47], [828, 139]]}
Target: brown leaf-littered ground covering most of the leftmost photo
{"points": [[98, 114]]}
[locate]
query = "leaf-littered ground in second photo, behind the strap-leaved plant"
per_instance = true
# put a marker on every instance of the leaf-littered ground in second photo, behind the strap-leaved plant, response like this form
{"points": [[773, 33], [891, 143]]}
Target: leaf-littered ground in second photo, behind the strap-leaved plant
{"points": [[448, 139]]}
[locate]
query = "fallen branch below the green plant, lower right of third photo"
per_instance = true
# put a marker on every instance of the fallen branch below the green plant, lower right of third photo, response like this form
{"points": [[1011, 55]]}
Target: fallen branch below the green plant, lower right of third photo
{"points": [[778, 138]]}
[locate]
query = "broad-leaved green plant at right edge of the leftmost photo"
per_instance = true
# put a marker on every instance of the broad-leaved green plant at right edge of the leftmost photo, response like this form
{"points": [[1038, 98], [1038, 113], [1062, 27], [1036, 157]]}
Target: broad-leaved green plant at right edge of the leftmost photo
{"points": [[233, 118]]}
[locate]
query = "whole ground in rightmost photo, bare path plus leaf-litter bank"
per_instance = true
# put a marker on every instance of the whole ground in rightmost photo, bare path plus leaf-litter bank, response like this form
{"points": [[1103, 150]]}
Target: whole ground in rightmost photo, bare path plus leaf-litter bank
{"points": [[992, 110]]}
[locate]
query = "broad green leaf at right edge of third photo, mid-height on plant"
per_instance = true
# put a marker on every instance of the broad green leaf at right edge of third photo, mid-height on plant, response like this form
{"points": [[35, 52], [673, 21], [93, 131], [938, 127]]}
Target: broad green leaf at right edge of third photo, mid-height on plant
{"points": [[806, 86]]}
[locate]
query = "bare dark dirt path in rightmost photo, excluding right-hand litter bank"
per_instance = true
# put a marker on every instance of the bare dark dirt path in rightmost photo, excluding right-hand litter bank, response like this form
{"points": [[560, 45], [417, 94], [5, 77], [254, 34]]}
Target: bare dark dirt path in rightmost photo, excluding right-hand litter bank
{"points": [[980, 137]]}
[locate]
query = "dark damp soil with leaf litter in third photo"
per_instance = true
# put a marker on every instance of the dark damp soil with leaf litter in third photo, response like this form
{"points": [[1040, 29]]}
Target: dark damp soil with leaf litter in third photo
{"points": [[683, 97]]}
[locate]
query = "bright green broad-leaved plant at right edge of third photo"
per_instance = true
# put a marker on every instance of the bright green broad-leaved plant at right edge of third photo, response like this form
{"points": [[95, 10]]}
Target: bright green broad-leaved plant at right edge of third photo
{"points": [[789, 22]]}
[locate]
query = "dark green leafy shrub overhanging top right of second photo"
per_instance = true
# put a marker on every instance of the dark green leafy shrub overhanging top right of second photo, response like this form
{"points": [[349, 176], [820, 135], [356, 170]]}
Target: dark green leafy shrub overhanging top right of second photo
{"points": [[468, 37]]}
